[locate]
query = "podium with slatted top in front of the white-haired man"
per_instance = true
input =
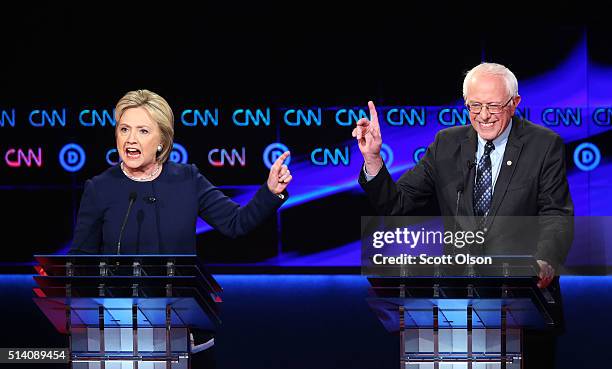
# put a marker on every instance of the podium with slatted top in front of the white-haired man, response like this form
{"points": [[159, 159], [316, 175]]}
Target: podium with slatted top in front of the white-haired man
{"points": [[467, 321]]}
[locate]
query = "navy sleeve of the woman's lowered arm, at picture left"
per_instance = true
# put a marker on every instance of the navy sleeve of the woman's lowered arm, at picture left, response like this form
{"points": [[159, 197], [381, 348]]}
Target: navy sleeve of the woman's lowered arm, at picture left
{"points": [[88, 231]]}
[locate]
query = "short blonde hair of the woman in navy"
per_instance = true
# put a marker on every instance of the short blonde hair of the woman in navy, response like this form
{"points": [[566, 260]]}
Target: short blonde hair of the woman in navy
{"points": [[160, 112]]}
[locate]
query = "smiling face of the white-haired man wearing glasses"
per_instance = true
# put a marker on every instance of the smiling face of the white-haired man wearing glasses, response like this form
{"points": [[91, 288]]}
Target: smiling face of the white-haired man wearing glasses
{"points": [[490, 89]]}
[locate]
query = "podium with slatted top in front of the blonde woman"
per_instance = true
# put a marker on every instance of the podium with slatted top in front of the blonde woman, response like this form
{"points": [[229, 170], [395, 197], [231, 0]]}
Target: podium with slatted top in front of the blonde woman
{"points": [[120, 311]]}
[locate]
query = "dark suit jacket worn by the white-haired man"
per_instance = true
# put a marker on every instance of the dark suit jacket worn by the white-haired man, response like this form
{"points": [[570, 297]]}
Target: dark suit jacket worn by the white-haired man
{"points": [[534, 184]]}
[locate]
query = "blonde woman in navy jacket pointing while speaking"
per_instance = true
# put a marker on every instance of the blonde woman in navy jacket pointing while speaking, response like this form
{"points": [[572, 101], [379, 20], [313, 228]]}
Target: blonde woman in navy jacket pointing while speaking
{"points": [[165, 197]]}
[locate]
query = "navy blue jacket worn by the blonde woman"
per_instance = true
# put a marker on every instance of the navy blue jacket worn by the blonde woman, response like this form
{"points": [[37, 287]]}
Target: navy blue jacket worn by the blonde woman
{"points": [[163, 217]]}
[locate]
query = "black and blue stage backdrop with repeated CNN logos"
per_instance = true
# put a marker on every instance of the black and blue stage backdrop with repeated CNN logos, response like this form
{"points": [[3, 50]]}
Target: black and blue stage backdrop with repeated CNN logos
{"points": [[245, 88]]}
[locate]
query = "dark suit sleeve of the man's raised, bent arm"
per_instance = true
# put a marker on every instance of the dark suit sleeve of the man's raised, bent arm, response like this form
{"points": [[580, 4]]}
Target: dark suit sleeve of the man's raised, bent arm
{"points": [[413, 190]]}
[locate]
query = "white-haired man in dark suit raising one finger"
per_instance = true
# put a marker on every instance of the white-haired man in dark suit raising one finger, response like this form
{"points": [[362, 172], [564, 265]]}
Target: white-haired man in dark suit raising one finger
{"points": [[500, 166]]}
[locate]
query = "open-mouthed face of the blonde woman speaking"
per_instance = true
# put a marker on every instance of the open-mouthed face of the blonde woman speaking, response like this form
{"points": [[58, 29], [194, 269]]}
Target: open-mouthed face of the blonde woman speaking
{"points": [[137, 139]]}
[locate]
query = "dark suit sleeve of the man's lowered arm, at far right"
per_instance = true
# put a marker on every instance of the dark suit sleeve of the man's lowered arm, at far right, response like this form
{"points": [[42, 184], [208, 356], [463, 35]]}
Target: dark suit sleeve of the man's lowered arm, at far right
{"points": [[555, 207]]}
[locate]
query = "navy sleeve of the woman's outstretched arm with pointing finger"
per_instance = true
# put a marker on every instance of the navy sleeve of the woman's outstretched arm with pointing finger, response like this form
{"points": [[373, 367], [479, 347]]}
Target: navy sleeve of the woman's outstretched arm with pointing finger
{"points": [[227, 216]]}
